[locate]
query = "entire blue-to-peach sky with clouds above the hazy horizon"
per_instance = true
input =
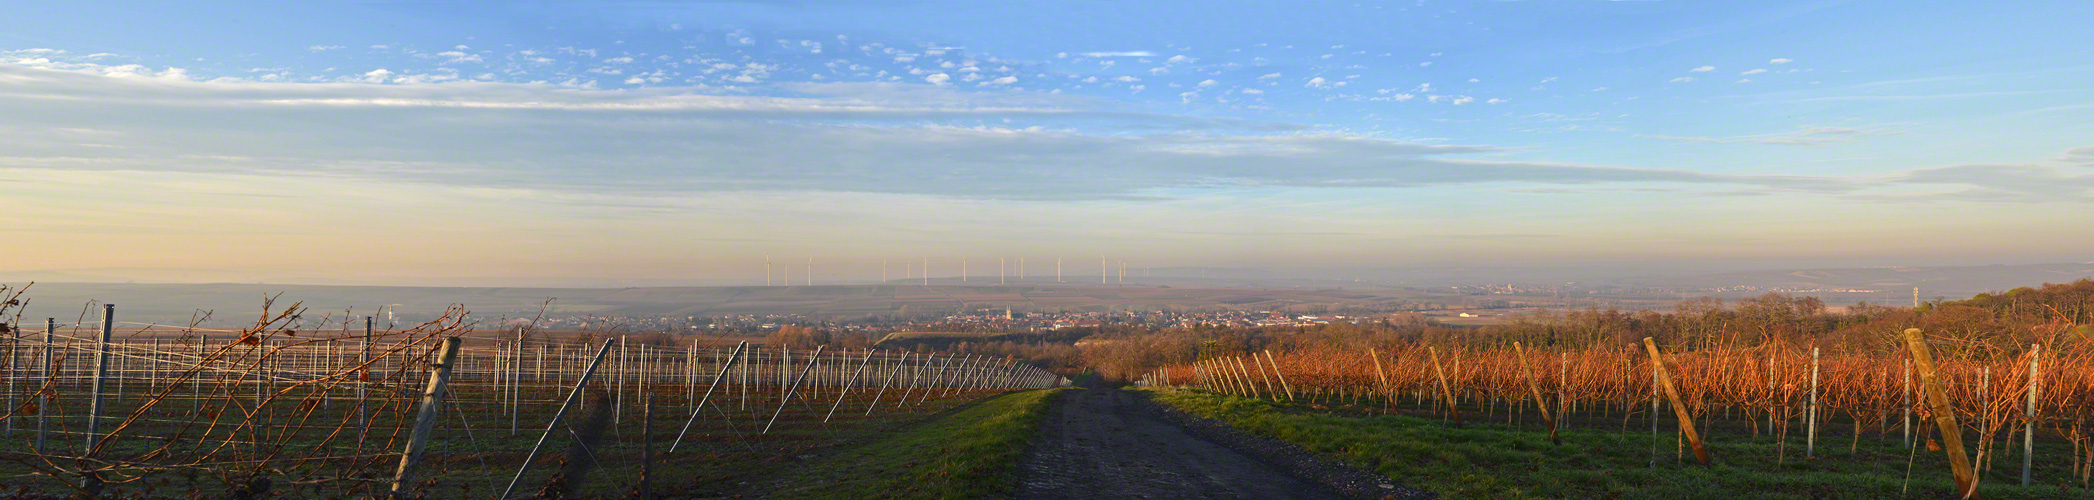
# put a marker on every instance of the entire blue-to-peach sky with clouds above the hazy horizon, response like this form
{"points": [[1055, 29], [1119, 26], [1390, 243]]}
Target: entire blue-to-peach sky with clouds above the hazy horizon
{"points": [[688, 141]]}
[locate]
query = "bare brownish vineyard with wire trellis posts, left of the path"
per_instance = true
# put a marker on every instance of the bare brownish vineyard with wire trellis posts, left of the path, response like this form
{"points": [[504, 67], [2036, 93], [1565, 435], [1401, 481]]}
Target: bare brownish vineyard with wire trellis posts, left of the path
{"points": [[344, 409]]}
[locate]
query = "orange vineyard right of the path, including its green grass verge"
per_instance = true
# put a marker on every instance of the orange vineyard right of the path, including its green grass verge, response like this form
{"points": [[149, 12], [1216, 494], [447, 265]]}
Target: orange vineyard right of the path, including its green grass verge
{"points": [[1777, 396]]}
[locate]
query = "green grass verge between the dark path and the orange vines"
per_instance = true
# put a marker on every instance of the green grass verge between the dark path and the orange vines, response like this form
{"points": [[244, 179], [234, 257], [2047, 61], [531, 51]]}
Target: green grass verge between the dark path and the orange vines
{"points": [[1498, 461]]}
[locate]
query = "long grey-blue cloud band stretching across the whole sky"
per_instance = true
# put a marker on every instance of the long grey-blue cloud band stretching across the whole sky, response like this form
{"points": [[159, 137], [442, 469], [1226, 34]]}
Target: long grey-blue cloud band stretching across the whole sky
{"points": [[895, 139]]}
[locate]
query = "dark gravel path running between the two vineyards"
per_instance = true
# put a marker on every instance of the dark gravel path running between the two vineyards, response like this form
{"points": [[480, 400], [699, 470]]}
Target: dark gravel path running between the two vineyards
{"points": [[1119, 445]]}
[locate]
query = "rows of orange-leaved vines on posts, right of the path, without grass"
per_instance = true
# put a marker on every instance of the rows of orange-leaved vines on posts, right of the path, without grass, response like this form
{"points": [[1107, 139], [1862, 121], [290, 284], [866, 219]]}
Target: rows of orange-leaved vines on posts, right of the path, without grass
{"points": [[2005, 403]]}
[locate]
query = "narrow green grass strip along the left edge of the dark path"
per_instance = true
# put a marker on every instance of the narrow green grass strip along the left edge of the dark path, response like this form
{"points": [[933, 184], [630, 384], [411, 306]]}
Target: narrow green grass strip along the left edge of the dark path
{"points": [[966, 455]]}
